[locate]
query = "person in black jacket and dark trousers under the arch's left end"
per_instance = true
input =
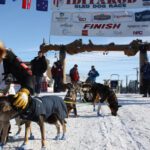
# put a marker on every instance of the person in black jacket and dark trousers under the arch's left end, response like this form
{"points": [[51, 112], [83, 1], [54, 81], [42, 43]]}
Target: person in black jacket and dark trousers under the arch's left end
{"points": [[38, 67]]}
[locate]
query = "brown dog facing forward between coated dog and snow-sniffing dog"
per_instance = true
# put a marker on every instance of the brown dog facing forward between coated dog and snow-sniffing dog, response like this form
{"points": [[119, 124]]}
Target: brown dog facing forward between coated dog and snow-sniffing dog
{"points": [[70, 99]]}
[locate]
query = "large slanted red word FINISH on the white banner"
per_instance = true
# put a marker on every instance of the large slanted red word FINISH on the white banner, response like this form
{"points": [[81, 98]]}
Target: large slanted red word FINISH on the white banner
{"points": [[102, 26]]}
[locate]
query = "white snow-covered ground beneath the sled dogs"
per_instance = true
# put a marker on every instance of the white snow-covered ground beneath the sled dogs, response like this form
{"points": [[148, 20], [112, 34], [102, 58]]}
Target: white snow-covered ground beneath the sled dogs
{"points": [[130, 130]]}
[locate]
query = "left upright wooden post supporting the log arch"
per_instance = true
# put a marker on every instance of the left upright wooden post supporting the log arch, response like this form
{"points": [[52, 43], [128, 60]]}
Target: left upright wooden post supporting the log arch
{"points": [[62, 56]]}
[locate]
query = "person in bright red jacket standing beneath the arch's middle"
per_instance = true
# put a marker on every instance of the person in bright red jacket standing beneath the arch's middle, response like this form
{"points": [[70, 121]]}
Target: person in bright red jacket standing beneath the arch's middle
{"points": [[74, 75]]}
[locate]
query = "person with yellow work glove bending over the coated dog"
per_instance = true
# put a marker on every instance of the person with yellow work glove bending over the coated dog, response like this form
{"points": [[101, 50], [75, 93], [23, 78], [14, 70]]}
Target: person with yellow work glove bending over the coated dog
{"points": [[11, 64]]}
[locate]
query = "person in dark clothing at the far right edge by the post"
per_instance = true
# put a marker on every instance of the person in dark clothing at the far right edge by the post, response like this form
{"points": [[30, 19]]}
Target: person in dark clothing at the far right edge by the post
{"points": [[145, 70]]}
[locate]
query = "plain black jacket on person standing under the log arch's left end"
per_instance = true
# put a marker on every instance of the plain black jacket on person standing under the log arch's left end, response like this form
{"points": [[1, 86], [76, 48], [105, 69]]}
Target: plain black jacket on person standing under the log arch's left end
{"points": [[38, 66]]}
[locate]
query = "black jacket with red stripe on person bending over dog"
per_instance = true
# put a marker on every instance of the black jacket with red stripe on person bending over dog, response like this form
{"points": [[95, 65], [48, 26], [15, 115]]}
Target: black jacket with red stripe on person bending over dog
{"points": [[22, 74]]}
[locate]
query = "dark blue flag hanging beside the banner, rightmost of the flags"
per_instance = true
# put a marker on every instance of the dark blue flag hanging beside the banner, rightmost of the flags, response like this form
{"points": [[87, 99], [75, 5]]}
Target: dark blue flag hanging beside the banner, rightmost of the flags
{"points": [[42, 5]]}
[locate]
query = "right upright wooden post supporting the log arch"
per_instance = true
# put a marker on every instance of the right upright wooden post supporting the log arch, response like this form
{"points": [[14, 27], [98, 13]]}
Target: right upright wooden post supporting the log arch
{"points": [[143, 57]]}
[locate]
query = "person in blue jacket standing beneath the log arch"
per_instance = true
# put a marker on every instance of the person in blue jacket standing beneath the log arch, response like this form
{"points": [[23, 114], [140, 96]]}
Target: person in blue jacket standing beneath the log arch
{"points": [[93, 73]]}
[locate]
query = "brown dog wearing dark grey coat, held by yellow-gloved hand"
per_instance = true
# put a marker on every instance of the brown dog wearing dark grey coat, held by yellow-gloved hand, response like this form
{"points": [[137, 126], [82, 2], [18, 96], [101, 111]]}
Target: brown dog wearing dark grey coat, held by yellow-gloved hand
{"points": [[50, 109]]}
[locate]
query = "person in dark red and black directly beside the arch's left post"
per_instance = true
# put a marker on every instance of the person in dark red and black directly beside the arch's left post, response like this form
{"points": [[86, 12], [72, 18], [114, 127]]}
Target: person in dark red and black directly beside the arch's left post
{"points": [[57, 75]]}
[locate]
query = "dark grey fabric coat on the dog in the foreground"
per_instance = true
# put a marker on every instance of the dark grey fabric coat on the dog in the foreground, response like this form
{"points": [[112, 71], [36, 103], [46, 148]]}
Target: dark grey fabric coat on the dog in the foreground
{"points": [[46, 105]]}
